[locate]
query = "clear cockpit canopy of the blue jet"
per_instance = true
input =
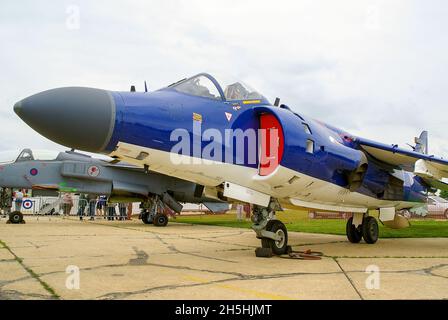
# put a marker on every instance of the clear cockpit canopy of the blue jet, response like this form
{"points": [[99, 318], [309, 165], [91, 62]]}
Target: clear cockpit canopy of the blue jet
{"points": [[204, 85]]}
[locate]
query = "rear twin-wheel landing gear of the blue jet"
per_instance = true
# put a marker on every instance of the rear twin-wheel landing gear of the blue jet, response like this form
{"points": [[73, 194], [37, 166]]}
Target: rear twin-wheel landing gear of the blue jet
{"points": [[367, 229]]}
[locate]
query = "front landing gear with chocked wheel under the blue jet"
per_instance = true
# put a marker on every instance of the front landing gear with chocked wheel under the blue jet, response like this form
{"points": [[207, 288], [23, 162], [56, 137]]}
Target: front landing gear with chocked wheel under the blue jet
{"points": [[272, 232]]}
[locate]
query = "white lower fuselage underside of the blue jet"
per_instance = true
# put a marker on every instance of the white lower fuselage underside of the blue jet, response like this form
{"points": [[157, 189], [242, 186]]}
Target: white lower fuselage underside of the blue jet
{"points": [[283, 183]]}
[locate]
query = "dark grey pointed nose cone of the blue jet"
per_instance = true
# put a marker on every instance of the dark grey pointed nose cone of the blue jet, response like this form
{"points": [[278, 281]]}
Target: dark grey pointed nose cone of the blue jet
{"points": [[79, 118]]}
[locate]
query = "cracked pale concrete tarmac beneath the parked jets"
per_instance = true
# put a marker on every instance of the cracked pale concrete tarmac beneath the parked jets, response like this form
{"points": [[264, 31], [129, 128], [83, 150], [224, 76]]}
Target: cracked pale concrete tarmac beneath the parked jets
{"points": [[130, 260]]}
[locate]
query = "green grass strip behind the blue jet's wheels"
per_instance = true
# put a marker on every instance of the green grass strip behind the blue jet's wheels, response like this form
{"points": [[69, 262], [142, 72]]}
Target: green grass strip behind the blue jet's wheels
{"points": [[297, 220]]}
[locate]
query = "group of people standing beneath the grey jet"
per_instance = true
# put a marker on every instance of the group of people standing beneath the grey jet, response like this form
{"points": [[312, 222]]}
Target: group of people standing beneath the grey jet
{"points": [[91, 206]]}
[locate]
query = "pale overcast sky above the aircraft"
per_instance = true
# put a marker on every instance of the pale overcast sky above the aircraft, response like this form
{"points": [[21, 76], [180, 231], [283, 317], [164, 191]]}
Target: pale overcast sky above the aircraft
{"points": [[378, 69]]}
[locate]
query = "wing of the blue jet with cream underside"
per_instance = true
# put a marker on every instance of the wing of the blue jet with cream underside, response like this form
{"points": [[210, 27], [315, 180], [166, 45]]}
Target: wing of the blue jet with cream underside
{"points": [[428, 166]]}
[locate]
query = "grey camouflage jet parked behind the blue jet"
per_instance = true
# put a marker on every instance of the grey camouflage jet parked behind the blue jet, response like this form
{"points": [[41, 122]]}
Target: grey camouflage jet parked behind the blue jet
{"points": [[75, 172]]}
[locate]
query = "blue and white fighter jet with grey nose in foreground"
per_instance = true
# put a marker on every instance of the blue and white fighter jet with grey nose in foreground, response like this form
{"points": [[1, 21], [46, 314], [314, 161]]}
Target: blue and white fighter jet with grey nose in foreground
{"points": [[237, 146]]}
